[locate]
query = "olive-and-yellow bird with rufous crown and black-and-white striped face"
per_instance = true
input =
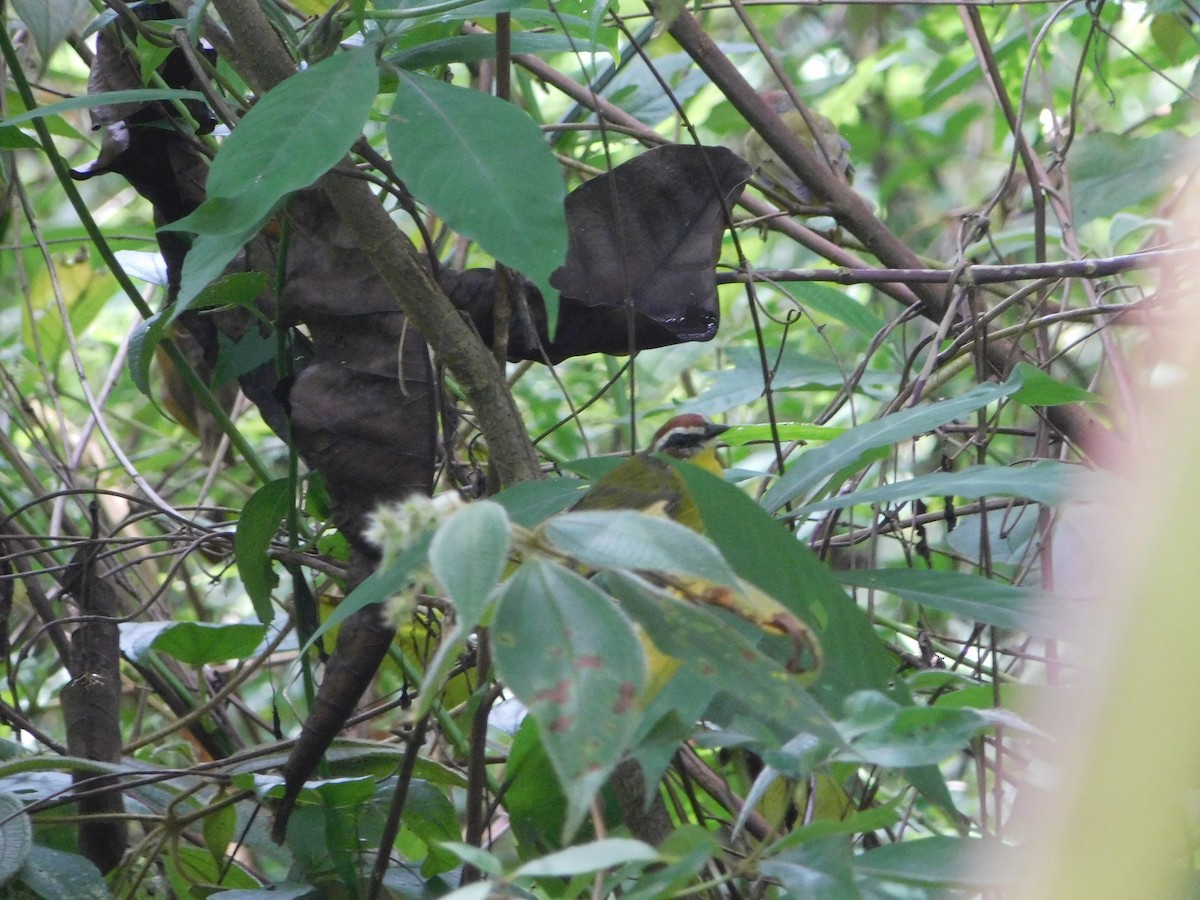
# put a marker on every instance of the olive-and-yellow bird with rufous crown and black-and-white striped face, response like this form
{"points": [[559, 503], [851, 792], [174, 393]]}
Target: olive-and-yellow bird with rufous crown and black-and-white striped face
{"points": [[647, 483]]}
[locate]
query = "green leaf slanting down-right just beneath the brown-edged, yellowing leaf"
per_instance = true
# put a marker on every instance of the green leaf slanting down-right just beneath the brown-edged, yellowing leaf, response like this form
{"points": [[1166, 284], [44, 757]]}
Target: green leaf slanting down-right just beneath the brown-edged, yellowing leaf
{"points": [[709, 651]]}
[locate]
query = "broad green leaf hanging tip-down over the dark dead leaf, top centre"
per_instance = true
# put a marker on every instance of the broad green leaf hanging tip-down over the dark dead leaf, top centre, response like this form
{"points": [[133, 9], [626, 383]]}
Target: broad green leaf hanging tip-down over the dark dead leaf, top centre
{"points": [[505, 194]]}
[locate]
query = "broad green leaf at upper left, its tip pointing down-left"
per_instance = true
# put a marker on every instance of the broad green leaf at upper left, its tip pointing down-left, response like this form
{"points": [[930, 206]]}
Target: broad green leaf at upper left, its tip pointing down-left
{"points": [[293, 136]]}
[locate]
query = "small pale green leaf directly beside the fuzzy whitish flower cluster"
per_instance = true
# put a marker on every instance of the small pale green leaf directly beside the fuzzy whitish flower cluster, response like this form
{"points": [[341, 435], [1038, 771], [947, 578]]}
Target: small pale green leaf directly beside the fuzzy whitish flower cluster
{"points": [[469, 554]]}
